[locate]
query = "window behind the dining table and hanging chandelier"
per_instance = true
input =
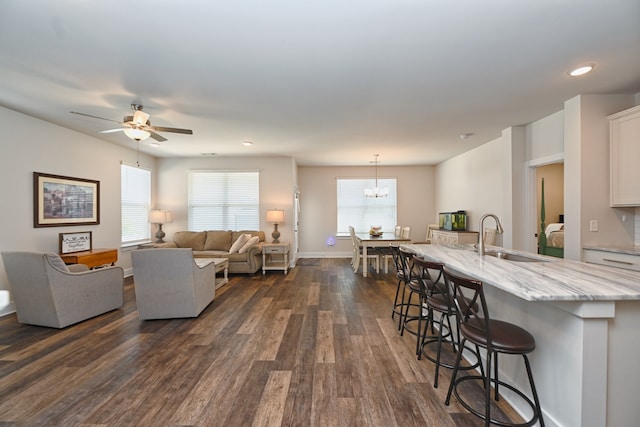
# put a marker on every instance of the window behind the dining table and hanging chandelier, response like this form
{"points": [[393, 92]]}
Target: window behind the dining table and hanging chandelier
{"points": [[362, 212]]}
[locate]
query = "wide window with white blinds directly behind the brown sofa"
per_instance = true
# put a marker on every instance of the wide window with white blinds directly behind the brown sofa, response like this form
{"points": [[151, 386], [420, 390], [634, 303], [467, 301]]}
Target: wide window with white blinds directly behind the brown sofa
{"points": [[223, 200]]}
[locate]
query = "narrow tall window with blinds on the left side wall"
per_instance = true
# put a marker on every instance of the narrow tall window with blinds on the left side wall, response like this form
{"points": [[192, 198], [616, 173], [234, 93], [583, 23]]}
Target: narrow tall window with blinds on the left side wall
{"points": [[135, 185]]}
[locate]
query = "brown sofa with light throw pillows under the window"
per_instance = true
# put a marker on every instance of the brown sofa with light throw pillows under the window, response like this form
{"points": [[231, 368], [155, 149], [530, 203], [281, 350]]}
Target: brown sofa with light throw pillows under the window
{"points": [[222, 244]]}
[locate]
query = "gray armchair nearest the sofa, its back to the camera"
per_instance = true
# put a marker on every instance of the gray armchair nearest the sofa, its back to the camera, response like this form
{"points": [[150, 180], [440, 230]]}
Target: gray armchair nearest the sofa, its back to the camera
{"points": [[169, 284]]}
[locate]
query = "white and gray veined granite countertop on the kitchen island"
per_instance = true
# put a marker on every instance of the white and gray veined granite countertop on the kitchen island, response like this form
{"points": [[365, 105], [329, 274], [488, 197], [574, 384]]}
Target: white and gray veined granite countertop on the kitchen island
{"points": [[552, 279]]}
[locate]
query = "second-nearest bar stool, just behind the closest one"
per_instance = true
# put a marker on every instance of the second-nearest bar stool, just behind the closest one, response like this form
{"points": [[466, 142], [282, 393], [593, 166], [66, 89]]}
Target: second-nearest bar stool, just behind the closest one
{"points": [[439, 301]]}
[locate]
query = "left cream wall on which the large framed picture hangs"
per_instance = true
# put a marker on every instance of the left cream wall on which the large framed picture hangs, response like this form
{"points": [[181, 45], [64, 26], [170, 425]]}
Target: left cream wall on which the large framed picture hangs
{"points": [[31, 145]]}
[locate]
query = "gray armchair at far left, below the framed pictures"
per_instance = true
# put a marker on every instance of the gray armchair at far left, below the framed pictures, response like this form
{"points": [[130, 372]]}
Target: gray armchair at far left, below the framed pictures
{"points": [[47, 293]]}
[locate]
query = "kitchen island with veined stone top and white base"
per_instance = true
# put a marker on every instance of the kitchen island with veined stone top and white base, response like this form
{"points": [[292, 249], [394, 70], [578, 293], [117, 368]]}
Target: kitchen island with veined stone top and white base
{"points": [[585, 320]]}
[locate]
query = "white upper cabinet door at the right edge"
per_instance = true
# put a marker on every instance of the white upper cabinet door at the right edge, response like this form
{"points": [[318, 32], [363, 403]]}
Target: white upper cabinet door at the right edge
{"points": [[624, 130]]}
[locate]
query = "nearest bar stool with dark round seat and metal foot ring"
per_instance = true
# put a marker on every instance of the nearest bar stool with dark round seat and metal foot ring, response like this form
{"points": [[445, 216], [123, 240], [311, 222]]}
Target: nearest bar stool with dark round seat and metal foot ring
{"points": [[496, 337]]}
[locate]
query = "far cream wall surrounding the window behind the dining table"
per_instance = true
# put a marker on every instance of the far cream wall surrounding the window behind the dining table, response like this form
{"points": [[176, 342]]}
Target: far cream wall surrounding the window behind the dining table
{"points": [[318, 218]]}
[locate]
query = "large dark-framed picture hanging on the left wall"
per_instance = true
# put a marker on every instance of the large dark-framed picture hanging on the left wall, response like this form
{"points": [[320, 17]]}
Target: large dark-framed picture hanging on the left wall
{"points": [[62, 201]]}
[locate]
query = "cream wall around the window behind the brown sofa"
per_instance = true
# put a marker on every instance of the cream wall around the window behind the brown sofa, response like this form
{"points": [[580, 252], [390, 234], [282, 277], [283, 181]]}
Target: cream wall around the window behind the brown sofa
{"points": [[277, 186]]}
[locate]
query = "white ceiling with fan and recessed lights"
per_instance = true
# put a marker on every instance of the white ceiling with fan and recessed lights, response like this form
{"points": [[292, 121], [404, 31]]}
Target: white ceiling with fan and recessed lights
{"points": [[328, 82]]}
